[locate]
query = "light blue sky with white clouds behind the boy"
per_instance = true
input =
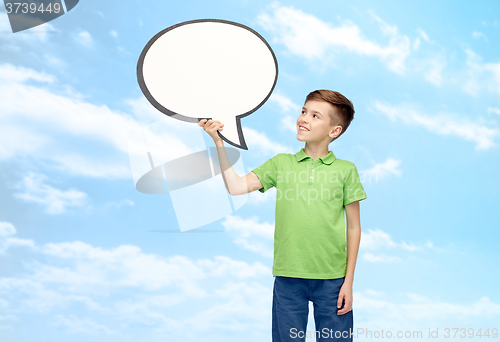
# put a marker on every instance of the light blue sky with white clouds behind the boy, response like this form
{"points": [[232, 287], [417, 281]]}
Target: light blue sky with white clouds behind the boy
{"points": [[79, 257]]}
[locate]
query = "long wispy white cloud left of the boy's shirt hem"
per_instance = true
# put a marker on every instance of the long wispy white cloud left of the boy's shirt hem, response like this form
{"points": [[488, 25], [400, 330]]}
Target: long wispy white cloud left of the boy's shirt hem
{"points": [[127, 266]]}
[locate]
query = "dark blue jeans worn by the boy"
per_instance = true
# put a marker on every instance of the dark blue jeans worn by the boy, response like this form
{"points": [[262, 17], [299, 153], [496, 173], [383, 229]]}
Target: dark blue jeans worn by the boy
{"points": [[291, 298]]}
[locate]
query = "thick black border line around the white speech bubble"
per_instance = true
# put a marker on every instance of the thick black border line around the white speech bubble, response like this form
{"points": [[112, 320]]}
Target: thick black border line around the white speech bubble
{"points": [[178, 116]]}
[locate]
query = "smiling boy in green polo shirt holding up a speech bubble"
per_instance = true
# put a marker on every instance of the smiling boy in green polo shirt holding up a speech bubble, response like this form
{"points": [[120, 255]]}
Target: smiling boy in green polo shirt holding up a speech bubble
{"points": [[312, 261]]}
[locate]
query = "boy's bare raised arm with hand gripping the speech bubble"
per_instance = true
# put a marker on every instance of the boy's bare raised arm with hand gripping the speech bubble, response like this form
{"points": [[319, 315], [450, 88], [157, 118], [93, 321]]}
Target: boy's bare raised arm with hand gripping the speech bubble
{"points": [[235, 184]]}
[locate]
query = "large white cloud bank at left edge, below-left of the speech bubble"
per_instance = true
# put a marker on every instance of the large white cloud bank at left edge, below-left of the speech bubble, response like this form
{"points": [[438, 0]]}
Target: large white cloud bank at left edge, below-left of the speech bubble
{"points": [[65, 131]]}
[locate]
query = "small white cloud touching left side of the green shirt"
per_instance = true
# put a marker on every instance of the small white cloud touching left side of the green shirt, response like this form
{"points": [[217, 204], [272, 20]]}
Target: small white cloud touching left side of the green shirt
{"points": [[250, 234]]}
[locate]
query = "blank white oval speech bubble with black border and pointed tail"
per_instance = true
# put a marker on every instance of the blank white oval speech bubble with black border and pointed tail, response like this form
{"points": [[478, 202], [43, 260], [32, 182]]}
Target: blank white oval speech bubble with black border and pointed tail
{"points": [[208, 68]]}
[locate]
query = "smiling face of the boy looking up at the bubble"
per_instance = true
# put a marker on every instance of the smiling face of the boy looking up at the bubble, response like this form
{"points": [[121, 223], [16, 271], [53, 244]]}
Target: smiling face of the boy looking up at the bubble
{"points": [[315, 118]]}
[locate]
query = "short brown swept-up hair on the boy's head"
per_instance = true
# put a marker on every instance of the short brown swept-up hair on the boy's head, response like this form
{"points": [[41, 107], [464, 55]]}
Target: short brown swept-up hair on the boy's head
{"points": [[345, 109]]}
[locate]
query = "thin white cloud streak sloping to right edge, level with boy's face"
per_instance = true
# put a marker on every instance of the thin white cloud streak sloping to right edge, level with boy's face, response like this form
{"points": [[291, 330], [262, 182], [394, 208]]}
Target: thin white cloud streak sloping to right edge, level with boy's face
{"points": [[444, 124]]}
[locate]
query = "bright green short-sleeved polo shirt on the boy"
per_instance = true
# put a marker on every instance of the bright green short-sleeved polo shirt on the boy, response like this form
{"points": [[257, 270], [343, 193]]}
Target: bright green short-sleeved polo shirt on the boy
{"points": [[310, 231]]}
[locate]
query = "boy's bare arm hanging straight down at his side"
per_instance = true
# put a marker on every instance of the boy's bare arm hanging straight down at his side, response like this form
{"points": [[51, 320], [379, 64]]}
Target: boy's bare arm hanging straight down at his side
{"points": [[353, 239]]}
